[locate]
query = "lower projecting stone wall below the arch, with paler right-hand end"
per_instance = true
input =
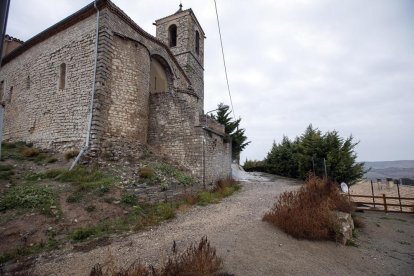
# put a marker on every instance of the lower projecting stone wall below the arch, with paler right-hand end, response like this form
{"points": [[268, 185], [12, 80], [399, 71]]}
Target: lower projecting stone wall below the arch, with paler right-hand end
{"points": [[176, 131]]}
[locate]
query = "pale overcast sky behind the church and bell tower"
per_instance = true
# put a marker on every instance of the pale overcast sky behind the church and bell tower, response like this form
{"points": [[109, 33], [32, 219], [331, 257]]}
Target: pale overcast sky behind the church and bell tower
{"points": [[343, 65]]}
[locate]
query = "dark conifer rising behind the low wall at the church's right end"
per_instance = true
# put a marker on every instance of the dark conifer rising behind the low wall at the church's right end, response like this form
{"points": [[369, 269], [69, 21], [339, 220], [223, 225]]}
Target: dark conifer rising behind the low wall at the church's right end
{"points": [[231, 127]]}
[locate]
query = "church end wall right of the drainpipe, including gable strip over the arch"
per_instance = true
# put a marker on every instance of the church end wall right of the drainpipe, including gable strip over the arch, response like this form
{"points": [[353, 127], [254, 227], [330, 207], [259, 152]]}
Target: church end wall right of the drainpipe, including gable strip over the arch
{"points": [[123, 73]]}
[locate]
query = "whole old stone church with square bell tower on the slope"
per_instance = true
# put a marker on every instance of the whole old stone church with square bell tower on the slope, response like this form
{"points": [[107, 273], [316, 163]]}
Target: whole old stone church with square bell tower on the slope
{"points": [[99, 83]]}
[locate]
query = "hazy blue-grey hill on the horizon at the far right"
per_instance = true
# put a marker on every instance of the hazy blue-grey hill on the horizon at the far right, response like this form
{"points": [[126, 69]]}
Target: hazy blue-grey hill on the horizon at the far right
{"points": [[390, 169]]}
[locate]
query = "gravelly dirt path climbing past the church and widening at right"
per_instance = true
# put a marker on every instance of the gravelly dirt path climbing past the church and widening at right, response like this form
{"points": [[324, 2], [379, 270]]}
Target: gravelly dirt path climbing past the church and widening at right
{"points": [[252, 247]]}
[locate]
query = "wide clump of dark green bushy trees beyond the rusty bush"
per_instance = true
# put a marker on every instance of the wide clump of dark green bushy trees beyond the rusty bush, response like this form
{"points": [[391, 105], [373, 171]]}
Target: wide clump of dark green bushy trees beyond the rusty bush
{"points": [[310, 152]]}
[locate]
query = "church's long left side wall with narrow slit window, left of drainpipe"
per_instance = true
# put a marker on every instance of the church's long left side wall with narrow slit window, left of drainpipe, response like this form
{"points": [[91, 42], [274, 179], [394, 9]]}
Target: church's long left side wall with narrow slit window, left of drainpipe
{"points": [[36, 110]]}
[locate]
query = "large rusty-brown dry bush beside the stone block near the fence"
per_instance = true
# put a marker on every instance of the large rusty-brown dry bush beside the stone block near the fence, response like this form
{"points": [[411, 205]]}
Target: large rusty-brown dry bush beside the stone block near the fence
{"points": [[308, 212]]}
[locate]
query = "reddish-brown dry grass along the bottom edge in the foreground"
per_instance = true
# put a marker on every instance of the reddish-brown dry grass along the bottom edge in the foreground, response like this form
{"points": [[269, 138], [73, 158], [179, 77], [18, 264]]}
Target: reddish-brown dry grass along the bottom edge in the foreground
{"points": [[198, 259]]}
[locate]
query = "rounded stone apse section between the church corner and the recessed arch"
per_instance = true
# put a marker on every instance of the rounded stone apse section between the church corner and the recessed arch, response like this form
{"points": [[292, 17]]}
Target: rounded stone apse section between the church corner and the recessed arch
{"points": [[127, 120]]}
